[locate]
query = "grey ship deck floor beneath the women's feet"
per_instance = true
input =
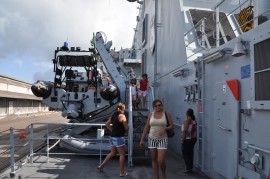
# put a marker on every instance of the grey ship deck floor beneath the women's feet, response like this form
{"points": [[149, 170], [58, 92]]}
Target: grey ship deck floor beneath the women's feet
{"points": [[85, 166]]}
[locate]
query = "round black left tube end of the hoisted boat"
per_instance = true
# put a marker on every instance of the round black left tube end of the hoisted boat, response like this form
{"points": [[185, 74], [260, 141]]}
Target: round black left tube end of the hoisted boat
{"points": [[42, 89]]}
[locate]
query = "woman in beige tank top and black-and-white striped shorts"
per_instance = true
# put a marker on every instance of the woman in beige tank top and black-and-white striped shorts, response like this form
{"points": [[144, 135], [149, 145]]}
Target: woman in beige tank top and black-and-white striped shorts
{"points": [[157, 138]]}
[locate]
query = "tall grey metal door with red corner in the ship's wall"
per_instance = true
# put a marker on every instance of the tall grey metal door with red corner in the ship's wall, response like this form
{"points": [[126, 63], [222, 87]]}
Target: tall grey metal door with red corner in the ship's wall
{"points": [[225, 128]]}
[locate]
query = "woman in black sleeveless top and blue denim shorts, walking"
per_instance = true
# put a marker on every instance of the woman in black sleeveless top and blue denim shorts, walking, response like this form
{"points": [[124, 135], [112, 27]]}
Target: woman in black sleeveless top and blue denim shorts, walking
{"points": [[117, 141]]}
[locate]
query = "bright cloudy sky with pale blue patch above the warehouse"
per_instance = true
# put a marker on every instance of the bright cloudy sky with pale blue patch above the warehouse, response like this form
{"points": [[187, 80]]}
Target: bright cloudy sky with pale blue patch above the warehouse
{"points": [[30, 31]]}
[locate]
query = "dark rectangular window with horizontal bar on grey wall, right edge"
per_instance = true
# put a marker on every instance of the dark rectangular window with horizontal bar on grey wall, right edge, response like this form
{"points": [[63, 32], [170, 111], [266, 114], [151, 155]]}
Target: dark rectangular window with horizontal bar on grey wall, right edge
{"points": [[262, 70]]}
